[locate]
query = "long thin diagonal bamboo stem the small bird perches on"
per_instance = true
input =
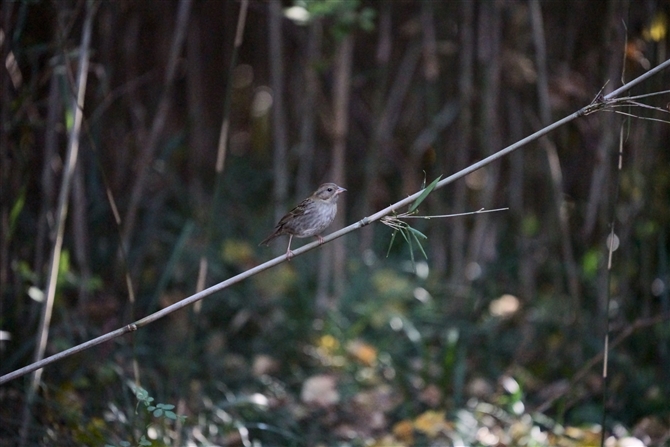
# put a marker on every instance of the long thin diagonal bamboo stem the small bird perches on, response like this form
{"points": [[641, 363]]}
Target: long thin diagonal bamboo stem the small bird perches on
{"points": [[311, 246]]}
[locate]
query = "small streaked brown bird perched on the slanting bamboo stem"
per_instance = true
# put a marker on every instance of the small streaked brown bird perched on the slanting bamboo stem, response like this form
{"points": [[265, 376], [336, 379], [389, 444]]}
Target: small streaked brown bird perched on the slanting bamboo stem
{"points": [[310, 218]]}
